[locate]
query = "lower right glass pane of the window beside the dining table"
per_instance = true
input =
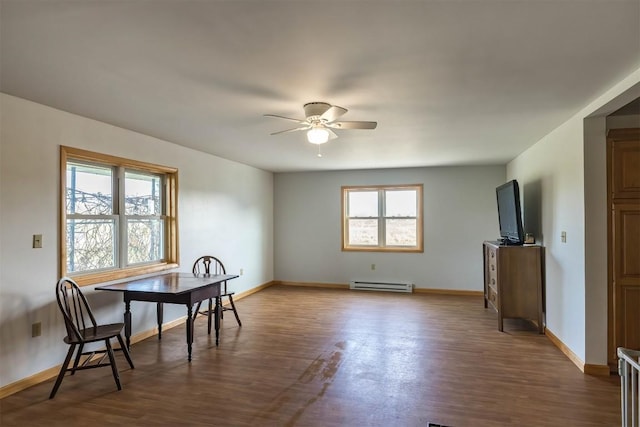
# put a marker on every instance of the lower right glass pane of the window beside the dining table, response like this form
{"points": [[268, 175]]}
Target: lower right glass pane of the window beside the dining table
{"points": [[145, 240]]}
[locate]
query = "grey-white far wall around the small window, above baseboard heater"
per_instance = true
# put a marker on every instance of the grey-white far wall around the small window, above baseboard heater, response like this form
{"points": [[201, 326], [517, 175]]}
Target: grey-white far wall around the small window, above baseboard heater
{"points": [[459, 214]]}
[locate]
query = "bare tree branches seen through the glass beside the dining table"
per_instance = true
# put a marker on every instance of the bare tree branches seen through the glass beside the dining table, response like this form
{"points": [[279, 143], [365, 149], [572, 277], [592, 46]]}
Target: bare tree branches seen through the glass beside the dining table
{"points": [[93, 237]]}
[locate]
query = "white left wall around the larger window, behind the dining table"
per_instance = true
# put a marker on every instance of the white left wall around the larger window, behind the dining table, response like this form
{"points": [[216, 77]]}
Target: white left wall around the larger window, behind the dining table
{"points": [[225, 209]]}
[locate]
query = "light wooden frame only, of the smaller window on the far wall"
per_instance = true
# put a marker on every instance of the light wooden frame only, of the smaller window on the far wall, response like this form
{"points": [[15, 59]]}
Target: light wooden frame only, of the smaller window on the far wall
{"points": [[382, 246]]}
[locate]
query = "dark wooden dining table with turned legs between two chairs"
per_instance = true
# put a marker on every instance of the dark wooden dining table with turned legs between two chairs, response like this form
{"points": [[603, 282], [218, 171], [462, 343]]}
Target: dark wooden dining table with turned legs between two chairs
{"points": [[171, 288]]}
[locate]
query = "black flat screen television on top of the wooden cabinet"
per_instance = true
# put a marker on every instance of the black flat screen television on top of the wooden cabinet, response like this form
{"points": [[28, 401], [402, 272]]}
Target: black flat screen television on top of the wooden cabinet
{"points": [[509, 213]]}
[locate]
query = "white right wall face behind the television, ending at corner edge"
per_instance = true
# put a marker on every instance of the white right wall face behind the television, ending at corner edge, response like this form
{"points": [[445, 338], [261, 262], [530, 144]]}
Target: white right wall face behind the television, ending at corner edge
{"points": [[554, 168]]}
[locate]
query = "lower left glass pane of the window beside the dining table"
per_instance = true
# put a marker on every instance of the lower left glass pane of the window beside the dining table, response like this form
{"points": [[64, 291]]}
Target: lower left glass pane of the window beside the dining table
{"points": [[90, 244]]}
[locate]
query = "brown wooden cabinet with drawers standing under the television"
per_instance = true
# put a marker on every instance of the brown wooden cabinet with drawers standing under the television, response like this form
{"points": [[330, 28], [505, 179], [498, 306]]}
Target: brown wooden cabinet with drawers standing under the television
{"points": [[513, 282]]}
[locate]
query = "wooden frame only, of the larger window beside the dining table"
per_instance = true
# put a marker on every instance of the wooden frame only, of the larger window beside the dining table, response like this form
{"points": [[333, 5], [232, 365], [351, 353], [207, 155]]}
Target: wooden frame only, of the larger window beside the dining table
{"points": [[170, 202]]}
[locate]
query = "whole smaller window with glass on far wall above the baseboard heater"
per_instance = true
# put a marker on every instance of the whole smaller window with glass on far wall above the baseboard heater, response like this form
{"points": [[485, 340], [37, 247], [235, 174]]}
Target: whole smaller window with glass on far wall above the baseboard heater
{"points": [[382, 218]]}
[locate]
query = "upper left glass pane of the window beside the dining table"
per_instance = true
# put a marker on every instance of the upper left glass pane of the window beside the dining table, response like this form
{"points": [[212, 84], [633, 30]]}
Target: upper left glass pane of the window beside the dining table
{"points": [[89, 189]]}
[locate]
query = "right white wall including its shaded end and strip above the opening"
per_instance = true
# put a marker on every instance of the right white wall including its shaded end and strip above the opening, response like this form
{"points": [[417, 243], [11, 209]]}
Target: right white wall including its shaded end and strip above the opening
{"points": [[566, 172]]}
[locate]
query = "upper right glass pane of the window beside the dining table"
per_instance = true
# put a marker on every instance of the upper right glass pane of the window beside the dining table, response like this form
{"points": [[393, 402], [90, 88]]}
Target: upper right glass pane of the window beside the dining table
{"points": [[142, 194]]}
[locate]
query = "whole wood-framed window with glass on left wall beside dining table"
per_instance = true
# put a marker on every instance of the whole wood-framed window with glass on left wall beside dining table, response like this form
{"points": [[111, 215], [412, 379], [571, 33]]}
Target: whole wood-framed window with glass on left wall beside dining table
{"points": [[118, 217]]}
